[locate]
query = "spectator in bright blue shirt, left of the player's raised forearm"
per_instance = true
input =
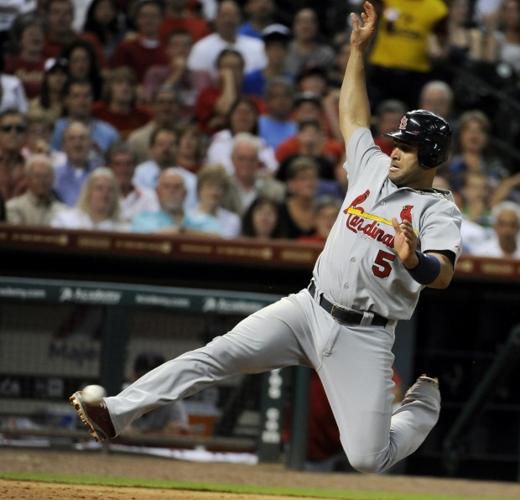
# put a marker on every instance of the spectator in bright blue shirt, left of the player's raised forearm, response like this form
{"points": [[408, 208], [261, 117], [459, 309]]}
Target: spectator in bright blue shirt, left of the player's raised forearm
{"points": [[276, 126]]}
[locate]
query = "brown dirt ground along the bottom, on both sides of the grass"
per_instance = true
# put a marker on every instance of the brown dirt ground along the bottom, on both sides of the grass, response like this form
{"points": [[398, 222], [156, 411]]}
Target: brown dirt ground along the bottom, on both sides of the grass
{"points": [[97, 463]]}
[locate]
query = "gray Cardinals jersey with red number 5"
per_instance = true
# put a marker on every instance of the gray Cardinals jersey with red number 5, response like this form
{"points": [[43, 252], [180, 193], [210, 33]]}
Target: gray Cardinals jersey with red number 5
{"points": [[358, 267]]}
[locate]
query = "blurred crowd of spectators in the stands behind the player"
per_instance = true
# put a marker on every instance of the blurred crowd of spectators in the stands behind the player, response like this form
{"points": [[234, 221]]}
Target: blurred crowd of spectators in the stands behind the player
{"points": [[221, 118]]}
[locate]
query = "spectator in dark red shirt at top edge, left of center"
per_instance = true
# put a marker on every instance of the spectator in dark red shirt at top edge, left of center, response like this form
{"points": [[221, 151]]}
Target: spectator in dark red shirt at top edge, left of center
{"points": [[144, 50]]}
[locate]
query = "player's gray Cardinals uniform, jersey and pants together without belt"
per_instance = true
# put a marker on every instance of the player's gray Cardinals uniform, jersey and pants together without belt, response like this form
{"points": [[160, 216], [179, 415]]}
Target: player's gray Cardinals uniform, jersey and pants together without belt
{"points": [[359, 269]]}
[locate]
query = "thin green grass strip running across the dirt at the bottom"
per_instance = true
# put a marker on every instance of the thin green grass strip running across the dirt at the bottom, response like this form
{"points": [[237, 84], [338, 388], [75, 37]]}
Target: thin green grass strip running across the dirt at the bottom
{"points": [[224, 488]]}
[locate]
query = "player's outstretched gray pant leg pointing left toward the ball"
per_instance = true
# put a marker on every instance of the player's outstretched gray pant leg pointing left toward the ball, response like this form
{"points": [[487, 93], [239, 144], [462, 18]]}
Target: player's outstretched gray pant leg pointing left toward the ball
{"points": [[265, 340]]}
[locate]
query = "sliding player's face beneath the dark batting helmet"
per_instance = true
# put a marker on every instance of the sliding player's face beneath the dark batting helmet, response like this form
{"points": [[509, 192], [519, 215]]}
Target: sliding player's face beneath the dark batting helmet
{"points": [[404, 166]]}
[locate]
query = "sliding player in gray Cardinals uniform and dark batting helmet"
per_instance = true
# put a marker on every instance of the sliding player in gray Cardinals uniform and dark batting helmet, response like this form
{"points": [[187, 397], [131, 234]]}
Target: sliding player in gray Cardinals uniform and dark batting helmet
{"points": [[394, 236]]}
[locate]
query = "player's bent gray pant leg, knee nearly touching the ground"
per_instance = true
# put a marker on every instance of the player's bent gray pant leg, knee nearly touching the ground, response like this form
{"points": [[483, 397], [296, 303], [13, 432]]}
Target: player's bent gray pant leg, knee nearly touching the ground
{"points": [[357, 377]]}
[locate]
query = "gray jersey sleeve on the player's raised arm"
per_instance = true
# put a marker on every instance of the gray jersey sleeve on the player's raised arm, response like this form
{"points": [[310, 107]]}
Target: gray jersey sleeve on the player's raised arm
{"points": [[362, 154]]}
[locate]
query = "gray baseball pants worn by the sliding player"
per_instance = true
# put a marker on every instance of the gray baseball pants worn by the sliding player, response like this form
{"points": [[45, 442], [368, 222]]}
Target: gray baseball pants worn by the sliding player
{"points": [[354, 364]]}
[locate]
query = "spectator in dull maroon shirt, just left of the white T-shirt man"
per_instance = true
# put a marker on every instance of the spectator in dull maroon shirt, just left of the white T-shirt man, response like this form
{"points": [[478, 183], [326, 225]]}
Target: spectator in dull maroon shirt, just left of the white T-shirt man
{"points": [[186, 83]]}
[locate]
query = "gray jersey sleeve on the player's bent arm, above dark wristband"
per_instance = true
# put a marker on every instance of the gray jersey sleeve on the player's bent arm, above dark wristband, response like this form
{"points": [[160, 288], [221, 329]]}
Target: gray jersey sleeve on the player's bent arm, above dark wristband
{"points": [[440, 229]]}
